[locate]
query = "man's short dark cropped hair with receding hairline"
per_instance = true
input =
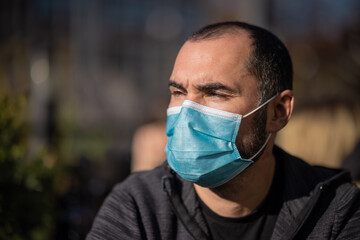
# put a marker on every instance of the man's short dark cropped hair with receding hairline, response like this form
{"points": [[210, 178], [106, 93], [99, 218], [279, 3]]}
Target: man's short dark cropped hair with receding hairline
{"points": [[269, 61]]}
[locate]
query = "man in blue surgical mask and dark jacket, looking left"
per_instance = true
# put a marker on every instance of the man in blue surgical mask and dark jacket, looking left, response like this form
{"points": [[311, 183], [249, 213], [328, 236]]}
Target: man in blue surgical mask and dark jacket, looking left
{"points": [[224, 178]]}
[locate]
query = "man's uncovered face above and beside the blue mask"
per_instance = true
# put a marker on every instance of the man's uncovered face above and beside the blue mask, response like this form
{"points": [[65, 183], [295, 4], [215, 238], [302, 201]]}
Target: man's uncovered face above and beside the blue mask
{"points": [[213, 73]]}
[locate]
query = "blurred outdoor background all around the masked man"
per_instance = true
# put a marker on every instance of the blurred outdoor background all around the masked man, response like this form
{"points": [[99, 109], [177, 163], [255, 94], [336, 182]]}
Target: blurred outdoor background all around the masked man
{"points": [[83, 87]]}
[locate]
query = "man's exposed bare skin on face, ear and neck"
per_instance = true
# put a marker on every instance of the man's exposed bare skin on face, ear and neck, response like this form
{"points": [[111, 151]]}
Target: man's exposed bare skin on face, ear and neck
{"points": [[213, 73]]}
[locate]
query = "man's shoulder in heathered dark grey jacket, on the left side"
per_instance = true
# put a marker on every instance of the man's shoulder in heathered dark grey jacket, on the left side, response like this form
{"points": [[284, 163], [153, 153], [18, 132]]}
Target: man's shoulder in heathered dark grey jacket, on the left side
{"points": [[131, 207]]}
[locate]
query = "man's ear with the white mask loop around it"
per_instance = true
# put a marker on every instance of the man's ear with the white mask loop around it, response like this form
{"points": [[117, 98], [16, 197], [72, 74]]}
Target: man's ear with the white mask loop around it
{"points": [[280, 110]]}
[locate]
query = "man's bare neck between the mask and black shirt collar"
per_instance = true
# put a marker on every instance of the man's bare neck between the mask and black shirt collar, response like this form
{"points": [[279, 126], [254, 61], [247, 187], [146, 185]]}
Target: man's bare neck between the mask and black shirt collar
{"points": [[244, 193]]}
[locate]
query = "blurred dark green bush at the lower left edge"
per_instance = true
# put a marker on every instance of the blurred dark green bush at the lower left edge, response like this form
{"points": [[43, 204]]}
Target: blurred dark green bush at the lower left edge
{"points": [[27, 186]]}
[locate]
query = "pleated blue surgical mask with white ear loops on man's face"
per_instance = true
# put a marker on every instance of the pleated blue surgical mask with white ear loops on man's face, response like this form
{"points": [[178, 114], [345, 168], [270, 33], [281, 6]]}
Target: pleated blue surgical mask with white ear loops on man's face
{"points": [[201, 143]]}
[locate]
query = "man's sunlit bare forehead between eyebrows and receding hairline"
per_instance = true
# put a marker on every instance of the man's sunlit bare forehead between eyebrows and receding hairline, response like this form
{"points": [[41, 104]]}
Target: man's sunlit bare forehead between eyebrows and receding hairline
{"points": [[221, 59]]}
